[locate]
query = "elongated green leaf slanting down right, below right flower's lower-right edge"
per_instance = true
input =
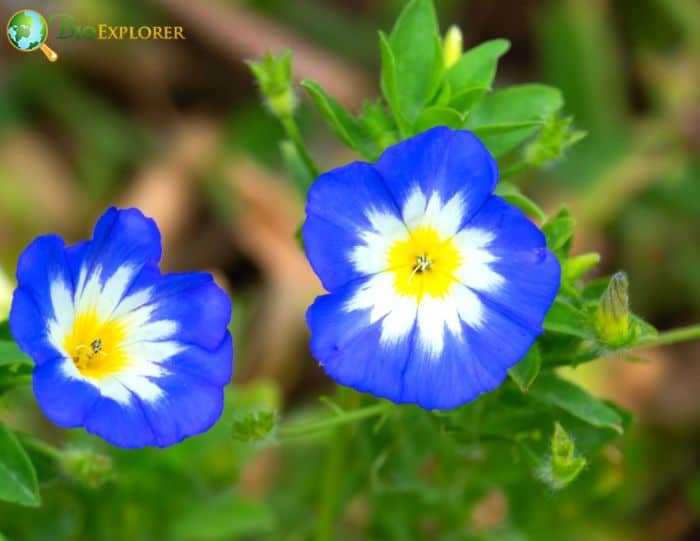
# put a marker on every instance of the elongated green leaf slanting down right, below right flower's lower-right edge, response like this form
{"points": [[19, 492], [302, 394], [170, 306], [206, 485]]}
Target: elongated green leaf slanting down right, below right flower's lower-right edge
{"points": [[569, 397]]}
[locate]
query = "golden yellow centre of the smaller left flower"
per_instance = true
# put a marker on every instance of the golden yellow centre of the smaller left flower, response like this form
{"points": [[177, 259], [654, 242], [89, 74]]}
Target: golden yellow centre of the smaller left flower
{"points": [[96, 346]]}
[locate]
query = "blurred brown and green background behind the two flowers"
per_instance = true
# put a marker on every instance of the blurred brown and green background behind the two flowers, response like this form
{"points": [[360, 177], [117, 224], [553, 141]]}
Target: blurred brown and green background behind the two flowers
{"points": [[176, 128]]}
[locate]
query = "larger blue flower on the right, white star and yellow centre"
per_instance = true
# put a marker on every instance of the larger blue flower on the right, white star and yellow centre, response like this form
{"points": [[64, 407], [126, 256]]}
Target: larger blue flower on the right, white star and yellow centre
{"points": [[437, 286]]}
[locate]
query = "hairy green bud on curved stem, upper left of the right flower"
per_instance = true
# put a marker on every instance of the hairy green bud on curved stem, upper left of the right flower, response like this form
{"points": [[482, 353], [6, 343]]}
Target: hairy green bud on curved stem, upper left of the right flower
{"points": [[274, 75]]}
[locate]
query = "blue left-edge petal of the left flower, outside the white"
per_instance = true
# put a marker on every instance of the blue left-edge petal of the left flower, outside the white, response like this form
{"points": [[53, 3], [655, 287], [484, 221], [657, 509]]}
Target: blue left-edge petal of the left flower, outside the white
{"points": [[42, 263]]}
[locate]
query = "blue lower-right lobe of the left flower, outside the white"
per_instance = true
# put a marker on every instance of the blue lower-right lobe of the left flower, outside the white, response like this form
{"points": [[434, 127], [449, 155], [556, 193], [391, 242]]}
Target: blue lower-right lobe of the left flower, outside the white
{"points": [[193, 395]]}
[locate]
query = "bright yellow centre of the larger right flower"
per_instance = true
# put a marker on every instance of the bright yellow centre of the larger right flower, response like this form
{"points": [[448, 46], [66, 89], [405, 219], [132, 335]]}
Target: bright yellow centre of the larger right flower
{"points": [[424, 264]]}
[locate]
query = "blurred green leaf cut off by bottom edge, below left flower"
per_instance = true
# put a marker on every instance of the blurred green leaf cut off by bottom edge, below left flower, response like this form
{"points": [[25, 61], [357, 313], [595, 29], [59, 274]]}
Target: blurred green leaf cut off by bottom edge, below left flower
{"points": [[223, 518]]}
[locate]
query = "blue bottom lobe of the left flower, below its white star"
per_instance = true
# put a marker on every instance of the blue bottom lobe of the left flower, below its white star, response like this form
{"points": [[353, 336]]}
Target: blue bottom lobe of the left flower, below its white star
{"points": [[123, 425]]}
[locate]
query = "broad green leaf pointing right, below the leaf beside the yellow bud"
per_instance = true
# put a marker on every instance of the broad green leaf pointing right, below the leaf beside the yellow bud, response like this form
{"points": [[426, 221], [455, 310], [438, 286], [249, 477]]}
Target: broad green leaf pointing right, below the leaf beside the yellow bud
{"points": [[514, 114]]}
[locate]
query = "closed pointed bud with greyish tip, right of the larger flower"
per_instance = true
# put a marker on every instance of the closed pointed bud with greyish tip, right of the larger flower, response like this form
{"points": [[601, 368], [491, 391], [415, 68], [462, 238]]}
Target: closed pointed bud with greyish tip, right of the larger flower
{"points": [[612, 318]]}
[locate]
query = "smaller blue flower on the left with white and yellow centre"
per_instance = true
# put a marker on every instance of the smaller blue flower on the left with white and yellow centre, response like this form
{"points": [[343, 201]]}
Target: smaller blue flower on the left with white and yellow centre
{"points": [[135, 356]]}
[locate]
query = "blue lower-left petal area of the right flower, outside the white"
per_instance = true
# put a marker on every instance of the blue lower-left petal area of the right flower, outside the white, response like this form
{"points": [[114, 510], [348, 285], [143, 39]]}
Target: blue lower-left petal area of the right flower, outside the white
{"points": [[349, 349]]}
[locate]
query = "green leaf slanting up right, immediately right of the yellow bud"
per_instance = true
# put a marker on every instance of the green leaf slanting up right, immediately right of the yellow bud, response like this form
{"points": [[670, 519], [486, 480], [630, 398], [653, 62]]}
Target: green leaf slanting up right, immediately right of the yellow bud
{"points": [[473, 74]]}
